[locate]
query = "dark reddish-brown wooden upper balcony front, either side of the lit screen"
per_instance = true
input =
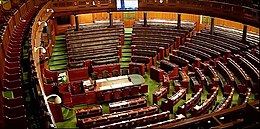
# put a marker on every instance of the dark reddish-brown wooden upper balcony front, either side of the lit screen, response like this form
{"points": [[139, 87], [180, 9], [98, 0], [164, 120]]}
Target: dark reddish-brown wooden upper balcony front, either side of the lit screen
{"points": [[229, 11]]}
